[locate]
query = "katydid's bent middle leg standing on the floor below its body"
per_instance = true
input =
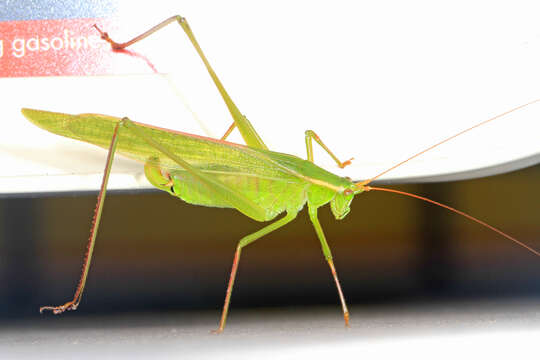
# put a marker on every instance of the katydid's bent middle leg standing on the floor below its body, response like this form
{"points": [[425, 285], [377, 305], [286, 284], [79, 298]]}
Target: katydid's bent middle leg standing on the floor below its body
{"points": [[241, 244]]}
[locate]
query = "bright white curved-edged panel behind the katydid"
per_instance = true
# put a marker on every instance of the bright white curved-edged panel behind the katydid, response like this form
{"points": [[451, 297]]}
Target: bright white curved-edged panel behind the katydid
{"points": [[375, 84]]}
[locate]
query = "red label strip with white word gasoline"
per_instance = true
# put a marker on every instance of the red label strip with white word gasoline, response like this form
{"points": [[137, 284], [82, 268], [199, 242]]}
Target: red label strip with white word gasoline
{"points": [[59, 48]]}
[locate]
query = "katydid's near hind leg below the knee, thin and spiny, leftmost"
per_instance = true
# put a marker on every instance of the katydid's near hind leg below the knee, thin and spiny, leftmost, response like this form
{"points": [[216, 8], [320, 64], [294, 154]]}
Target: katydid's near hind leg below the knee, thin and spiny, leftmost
{"points": [[74, 303]]}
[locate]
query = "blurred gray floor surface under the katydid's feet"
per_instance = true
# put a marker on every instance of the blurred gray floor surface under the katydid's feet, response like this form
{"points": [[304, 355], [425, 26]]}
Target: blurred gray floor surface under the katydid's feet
{"points": [[479, 329]]}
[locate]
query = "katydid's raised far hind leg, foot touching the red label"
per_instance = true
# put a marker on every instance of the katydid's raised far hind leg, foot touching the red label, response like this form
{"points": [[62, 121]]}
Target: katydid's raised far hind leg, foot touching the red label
{"points": [[251, 137]]}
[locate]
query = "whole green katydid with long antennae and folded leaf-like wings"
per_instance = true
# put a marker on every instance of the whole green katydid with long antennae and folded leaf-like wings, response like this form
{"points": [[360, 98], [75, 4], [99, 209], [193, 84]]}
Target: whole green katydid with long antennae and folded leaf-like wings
{"points": [[214, 172]]}
